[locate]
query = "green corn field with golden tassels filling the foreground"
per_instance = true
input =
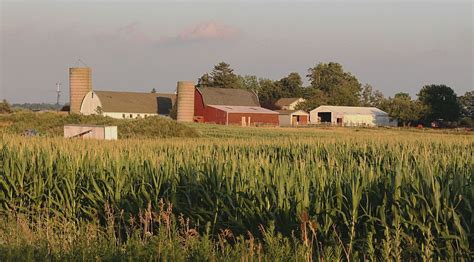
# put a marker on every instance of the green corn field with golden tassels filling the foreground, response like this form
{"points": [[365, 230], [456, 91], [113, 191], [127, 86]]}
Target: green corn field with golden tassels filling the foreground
{"points": [[390, 196]]}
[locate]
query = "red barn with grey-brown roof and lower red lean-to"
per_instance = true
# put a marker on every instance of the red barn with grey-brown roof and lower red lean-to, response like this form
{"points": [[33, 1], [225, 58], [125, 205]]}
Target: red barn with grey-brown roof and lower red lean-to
{"points": [[227, 106]]}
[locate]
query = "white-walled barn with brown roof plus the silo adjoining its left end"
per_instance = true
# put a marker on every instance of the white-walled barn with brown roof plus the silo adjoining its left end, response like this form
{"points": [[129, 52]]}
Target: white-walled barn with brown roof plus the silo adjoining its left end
{"points": [[85, 100]]}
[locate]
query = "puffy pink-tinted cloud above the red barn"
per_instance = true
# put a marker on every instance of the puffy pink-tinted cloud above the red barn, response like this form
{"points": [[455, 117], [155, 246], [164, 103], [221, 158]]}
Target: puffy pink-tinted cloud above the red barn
{"points": [[205, 31]]}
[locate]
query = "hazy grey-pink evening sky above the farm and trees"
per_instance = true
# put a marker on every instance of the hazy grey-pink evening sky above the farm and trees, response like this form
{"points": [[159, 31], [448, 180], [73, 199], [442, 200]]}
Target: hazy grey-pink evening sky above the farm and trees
{"points": [[396, 46]]}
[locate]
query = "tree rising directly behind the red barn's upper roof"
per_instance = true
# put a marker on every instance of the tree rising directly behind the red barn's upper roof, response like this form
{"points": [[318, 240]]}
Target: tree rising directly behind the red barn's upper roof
{"points": [[222, 76]]}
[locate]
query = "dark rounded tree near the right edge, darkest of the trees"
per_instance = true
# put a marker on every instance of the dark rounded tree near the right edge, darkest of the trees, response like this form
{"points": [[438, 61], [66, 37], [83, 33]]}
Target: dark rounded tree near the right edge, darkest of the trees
{"points": [[441, 102]]}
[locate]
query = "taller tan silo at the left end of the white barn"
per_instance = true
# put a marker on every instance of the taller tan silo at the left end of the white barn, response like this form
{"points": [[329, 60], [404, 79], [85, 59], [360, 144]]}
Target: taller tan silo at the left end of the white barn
{"points": [[80, 83]]}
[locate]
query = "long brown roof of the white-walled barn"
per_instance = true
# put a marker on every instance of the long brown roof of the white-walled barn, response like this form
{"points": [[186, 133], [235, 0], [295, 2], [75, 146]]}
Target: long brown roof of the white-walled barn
{"points": [[133, 102]]}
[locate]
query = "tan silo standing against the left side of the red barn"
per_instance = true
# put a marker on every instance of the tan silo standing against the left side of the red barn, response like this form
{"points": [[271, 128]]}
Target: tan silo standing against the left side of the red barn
{"points": [[185, 101]]}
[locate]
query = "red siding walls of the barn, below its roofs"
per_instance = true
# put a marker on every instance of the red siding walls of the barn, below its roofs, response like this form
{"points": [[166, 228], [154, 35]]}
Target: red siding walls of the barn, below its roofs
{"points": [[214, 115]]}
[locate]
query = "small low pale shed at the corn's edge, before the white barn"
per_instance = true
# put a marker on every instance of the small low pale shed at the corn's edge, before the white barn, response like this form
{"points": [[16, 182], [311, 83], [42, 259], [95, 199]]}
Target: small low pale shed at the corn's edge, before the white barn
{"points": [[91, 132]]}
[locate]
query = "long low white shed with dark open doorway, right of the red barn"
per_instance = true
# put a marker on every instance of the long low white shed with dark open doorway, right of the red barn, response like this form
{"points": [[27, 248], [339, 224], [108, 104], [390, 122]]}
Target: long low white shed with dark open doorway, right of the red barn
{"points": [[350, 116]]}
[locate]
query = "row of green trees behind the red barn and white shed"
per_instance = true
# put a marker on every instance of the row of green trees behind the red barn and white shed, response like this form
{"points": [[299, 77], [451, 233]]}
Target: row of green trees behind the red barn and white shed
{"points": [[330, 84]]}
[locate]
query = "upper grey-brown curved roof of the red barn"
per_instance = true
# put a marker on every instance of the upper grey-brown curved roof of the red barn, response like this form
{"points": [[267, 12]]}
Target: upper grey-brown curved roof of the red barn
{"points": [[228, 96]]}
